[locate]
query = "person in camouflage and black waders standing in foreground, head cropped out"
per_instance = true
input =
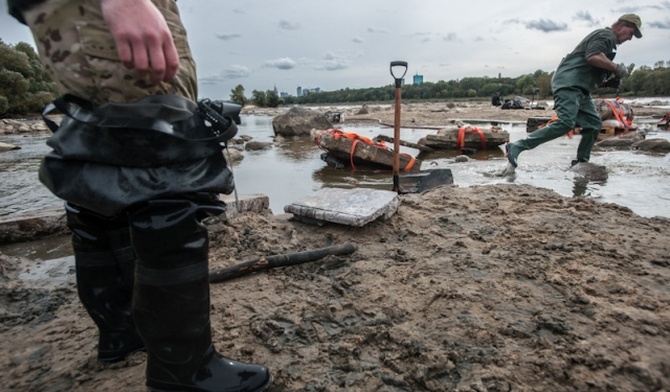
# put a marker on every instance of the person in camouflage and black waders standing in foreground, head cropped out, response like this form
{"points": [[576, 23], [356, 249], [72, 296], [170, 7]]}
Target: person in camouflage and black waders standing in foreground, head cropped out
{"points": [[139, 169]]}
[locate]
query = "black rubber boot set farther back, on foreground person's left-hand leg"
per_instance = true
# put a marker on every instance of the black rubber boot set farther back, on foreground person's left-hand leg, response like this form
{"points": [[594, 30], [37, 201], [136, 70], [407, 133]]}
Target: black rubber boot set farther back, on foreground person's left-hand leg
{"points": [[105, 267]]}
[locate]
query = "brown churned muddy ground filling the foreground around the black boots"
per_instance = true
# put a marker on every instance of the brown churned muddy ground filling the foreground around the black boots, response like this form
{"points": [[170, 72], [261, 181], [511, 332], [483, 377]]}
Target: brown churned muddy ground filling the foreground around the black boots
{"points": [[485, 288]]}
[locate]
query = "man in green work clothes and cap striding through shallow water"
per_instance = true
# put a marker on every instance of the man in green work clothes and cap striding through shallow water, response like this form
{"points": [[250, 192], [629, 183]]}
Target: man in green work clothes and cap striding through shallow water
{"points": [[588, 66]]}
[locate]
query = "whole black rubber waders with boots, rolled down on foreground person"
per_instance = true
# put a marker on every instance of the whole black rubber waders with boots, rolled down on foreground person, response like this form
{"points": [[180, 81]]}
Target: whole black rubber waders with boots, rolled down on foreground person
{"points": [[156, 165]]}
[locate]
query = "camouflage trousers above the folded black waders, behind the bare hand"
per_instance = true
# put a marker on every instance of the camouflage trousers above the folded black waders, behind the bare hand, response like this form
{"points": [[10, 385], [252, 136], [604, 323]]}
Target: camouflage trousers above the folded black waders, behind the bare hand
{"points": [[78, 50]]}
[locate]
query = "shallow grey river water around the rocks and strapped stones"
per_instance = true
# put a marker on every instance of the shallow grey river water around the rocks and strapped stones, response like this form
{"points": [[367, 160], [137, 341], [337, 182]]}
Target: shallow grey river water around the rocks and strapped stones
{"points": [[293, 169]]}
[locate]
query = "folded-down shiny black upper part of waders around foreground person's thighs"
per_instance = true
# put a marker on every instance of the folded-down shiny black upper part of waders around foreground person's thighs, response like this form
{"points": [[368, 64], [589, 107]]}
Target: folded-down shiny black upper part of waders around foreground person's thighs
{"points": [[115, 156]]}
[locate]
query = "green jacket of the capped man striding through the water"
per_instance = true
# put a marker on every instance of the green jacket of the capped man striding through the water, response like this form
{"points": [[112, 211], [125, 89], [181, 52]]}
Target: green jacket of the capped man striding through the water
{"points": [[575, 71]]}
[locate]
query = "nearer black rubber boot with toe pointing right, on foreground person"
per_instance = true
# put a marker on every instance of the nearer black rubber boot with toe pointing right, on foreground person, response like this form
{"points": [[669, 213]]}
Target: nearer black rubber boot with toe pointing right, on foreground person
{"points": [[172, 304]]}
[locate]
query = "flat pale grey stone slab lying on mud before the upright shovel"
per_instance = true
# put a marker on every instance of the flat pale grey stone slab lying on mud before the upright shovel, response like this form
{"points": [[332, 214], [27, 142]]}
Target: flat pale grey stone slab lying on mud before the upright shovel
{"points": [[352, 207]]}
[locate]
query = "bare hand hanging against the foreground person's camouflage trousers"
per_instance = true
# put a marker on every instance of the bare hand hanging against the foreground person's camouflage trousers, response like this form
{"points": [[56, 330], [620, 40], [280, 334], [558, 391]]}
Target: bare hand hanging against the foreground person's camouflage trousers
{"points": [[142, 37]]}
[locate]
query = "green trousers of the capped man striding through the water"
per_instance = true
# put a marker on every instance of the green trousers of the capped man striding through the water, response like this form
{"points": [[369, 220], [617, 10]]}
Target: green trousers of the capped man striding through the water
{"points": [[574, 107]]}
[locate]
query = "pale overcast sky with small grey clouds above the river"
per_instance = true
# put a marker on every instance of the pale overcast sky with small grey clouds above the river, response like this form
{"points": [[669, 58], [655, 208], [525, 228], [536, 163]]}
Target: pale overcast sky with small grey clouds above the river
{"points": [[263, 44]]}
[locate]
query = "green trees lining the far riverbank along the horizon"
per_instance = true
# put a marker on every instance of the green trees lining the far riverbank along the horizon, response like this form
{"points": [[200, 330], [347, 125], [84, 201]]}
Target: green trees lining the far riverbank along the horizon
{"points": [[26, 87]]}
